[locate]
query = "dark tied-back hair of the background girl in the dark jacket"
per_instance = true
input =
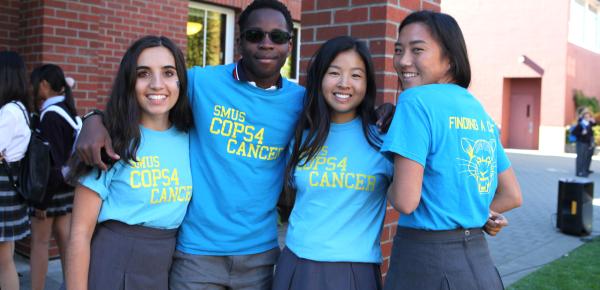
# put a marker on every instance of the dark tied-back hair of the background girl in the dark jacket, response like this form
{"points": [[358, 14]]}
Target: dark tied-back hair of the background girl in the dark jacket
{"points": [[55, 78]]}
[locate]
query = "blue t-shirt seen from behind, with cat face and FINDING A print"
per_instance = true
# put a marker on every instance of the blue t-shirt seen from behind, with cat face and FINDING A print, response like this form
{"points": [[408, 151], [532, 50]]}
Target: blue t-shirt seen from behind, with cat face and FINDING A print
{"points": [[445, 129]]}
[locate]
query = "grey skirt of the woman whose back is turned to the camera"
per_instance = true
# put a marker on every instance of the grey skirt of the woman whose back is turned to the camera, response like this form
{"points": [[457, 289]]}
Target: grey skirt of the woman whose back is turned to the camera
{"points": [[455, 259]]}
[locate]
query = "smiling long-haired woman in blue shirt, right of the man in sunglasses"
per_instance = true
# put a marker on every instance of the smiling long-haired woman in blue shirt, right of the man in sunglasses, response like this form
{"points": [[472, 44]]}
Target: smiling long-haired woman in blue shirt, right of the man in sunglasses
{"points": [[338, 177]]}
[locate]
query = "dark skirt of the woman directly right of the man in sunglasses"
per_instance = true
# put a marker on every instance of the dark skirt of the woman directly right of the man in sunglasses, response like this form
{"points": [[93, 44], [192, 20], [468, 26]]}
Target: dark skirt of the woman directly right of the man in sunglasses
{"points": [[295, 273]]}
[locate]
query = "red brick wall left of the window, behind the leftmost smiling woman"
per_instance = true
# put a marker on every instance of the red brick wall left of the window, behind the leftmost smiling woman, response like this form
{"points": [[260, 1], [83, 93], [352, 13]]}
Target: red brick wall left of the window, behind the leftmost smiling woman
{"points": [[88, 38]]}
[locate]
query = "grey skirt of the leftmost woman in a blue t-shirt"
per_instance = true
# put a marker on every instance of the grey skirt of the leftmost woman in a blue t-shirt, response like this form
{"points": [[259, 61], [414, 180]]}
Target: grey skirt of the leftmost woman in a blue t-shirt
{"points": [[125, 257]]}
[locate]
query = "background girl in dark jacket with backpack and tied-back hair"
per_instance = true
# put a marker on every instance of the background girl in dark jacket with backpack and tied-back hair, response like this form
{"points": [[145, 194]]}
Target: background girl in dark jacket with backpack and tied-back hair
{"points": [[50, 87]]}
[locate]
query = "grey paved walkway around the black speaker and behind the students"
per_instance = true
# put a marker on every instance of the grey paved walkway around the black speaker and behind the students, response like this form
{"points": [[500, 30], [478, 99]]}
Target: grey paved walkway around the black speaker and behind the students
{"points": [[530, 241]]}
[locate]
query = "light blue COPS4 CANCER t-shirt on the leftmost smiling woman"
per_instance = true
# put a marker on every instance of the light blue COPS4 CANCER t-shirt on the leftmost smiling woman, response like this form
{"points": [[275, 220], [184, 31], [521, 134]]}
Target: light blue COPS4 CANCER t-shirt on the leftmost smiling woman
{"points": [[152, 192]]}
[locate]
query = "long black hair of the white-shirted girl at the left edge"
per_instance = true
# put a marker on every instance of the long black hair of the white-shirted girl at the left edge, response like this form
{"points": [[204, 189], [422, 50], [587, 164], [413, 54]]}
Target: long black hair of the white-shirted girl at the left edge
{"points": [[13, 79]]}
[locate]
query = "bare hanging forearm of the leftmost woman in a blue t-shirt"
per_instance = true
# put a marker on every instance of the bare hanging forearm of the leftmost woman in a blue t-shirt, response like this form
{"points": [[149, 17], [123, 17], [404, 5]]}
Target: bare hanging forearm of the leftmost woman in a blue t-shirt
{"points": [[86, 207]]}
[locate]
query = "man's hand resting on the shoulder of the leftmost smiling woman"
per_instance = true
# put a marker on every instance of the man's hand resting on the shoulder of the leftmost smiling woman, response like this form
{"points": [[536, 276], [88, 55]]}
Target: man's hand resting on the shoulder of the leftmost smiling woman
{"points": [[92, 138]]}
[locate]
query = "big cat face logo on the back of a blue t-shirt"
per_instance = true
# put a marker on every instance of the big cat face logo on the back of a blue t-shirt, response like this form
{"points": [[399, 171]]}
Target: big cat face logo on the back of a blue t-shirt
{"points": [[481, 162]]}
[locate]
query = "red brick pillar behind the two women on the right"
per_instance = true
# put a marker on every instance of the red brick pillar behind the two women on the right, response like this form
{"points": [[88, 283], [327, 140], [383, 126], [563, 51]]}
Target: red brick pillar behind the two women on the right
{"points": [[376, 22]]}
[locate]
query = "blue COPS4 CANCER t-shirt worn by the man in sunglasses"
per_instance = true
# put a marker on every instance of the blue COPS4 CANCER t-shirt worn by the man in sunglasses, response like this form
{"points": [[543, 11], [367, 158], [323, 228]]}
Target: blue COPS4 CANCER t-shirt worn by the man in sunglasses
{"points": [[237, 157]]}
